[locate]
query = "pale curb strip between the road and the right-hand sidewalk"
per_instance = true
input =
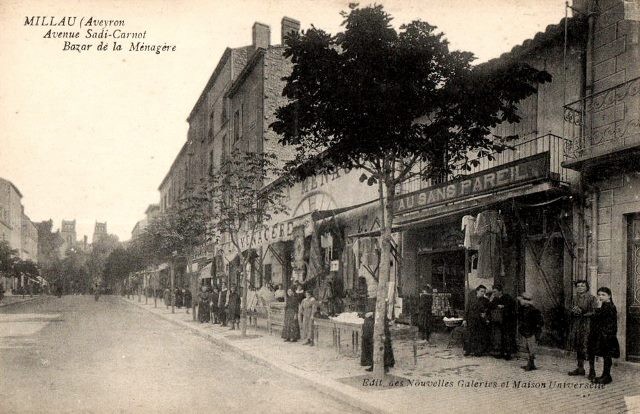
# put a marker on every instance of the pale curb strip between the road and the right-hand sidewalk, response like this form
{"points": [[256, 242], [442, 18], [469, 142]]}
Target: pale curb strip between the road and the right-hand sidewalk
{"points": [[330, 388]]}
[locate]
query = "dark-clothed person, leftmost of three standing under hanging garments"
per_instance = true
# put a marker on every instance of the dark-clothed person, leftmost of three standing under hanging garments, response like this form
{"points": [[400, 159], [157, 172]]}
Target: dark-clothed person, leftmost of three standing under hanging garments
{"points": [[477, 324]]}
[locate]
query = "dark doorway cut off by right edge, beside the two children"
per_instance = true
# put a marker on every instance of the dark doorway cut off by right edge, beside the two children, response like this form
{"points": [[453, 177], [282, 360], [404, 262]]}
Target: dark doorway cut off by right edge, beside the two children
{"points": [[633, 289]]}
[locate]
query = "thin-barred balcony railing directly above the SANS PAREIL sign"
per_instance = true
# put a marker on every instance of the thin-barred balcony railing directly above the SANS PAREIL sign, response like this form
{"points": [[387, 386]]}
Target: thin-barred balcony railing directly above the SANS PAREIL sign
{"points": [[550, 143]]}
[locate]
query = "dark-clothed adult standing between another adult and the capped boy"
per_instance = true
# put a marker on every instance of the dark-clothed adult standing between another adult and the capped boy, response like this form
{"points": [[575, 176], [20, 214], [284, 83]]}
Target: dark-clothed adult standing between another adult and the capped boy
{"points": [[503, 323]]}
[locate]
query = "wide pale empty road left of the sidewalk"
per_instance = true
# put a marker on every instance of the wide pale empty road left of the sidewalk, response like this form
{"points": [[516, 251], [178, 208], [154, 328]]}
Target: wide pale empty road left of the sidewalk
{"points": [[77, 355]]}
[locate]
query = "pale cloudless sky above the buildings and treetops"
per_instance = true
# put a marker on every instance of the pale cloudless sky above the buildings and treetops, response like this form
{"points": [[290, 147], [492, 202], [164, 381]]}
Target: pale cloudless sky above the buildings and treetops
{"points": [[91, 134]]}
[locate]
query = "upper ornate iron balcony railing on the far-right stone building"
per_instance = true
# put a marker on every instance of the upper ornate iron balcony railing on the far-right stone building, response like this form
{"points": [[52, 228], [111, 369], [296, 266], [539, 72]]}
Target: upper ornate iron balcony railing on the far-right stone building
{"points": [[603, 123]]}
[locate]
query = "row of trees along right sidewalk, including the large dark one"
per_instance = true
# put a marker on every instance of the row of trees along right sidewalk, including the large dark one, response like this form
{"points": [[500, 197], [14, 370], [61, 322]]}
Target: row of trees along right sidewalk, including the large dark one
{"points": [[393, 104]]}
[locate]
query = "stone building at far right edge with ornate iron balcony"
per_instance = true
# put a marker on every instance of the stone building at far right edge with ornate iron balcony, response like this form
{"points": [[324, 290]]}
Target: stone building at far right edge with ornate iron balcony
{"points": [[603, 126]]}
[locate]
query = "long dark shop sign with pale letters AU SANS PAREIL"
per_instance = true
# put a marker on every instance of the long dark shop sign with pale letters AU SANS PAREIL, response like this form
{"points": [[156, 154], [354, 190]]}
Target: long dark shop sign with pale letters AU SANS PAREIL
{"points": [[491, 180]]}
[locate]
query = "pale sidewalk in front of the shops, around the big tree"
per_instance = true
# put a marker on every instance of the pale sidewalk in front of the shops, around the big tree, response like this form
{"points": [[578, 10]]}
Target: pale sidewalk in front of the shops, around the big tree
{"points": [[442, 380]]}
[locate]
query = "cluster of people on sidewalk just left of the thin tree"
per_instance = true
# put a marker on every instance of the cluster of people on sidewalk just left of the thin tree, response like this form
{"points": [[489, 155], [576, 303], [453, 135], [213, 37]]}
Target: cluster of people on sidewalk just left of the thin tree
{"points": [[219, 305]]}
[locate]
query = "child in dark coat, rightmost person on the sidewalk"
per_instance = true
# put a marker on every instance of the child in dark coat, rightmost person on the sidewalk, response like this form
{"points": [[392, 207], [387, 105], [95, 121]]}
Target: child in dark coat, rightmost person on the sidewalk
{"points": [[603, 341]]}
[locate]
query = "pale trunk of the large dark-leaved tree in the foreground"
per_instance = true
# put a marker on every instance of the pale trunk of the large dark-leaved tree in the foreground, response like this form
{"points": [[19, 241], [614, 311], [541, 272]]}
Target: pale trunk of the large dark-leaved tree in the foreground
{"points": [[379, 337]]}
